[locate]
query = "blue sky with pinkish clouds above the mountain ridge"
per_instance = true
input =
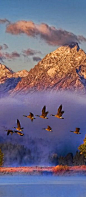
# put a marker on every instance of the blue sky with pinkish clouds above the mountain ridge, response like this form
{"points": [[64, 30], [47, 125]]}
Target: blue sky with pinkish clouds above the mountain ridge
{"points": [[32, 29]]}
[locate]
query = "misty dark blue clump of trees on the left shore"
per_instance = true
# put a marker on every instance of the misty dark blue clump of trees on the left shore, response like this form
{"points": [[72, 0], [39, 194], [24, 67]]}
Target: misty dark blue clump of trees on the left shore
{"points": [[17, 155]]}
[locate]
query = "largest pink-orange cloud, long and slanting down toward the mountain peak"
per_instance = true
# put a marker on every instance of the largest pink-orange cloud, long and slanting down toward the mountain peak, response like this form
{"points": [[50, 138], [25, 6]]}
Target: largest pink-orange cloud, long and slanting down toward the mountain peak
{"points": [[51, 35]]}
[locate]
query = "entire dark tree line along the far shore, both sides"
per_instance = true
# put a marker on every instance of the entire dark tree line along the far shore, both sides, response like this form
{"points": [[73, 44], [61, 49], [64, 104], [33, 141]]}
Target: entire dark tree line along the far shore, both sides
{"points": [[19, 155]]}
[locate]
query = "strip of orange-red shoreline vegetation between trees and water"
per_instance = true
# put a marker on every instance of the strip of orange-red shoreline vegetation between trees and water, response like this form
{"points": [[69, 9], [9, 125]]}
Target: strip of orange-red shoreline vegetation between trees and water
{"points": [[36, 170]]}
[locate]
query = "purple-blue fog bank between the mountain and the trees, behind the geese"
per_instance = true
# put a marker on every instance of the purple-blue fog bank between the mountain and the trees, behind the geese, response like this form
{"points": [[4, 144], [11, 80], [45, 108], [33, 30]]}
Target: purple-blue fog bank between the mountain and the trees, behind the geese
{"points": [[41, 142]]}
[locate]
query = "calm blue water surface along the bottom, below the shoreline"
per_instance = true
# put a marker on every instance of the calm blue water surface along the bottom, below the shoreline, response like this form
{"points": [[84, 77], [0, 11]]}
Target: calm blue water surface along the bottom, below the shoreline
{"points": [[42, 186]]}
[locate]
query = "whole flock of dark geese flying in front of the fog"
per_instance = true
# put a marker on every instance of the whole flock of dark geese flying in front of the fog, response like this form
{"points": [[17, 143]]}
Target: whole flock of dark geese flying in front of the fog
{"points": [[43, 115]]}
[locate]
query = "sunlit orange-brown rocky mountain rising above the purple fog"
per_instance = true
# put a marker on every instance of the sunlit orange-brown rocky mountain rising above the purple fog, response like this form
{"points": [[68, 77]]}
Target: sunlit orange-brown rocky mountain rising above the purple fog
{"points": [[63, 69]]}
